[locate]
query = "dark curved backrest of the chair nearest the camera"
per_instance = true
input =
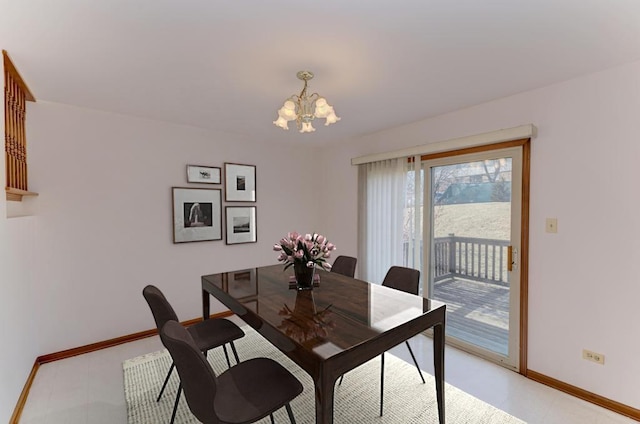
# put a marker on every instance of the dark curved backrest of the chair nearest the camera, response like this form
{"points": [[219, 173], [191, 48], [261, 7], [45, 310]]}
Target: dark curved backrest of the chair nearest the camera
{"points": [[196, 375]]}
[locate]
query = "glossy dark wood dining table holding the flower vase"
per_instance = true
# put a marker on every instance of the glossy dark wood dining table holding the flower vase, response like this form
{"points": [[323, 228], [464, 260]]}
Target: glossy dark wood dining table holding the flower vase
{"points": [[340, 324]]}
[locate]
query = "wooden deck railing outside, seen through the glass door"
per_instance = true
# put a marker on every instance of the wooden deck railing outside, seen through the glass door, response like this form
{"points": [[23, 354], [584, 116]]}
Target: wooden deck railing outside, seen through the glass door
{"points": [[472, 258]]}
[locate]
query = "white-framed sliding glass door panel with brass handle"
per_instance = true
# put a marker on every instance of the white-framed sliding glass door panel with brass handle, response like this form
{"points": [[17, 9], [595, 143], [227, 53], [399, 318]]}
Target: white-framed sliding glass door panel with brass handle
{"points": [[472, 219]]}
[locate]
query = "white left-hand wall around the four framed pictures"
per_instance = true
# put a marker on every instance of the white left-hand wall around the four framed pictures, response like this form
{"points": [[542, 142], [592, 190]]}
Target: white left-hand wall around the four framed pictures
{"points": [[101, 227]]}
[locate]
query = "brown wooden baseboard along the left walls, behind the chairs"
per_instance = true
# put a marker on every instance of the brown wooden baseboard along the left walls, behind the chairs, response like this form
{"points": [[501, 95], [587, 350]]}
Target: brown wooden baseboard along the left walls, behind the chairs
{"points": [[22, 400]]}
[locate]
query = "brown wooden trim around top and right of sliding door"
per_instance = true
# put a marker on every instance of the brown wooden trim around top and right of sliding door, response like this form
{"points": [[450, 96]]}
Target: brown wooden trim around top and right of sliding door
{"points": [[523, 255]]}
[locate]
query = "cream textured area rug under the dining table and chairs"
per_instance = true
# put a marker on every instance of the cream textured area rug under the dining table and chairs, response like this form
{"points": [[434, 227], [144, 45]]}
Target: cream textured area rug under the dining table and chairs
{"points": [[406, 399]]}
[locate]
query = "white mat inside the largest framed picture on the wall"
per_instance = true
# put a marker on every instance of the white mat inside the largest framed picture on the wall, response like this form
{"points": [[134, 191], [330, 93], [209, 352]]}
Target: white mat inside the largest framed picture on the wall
{"points": [[183, 234]]}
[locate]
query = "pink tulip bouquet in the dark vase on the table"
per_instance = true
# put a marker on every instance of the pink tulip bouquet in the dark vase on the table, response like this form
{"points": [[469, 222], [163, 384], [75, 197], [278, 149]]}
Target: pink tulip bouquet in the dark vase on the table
{"points": [[310, 249]]}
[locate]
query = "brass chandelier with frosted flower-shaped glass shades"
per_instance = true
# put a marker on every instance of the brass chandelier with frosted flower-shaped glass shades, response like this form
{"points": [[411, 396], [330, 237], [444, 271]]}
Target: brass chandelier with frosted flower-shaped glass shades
{"points": [[305, 108]]}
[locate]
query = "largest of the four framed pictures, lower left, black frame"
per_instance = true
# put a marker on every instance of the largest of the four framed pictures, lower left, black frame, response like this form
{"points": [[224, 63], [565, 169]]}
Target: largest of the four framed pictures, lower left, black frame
{"points": [[197, 214]]}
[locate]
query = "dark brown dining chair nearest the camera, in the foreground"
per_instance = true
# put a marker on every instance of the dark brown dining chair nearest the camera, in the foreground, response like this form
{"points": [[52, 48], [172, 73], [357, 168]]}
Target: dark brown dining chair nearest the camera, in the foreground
{"points": [[244, 393]]}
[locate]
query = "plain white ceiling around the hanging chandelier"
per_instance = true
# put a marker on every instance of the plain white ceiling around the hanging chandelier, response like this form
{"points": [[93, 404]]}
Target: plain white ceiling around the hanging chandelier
{"points": [[228, 65]]}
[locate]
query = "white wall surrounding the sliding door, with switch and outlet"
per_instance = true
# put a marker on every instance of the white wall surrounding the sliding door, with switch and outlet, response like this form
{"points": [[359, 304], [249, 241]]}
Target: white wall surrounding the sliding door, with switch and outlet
{"points": [[583, 286]]}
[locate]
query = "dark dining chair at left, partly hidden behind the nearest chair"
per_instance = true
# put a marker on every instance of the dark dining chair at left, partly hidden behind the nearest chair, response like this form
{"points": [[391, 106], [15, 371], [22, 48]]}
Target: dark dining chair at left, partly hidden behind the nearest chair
{"points": [[207, 334]]}
